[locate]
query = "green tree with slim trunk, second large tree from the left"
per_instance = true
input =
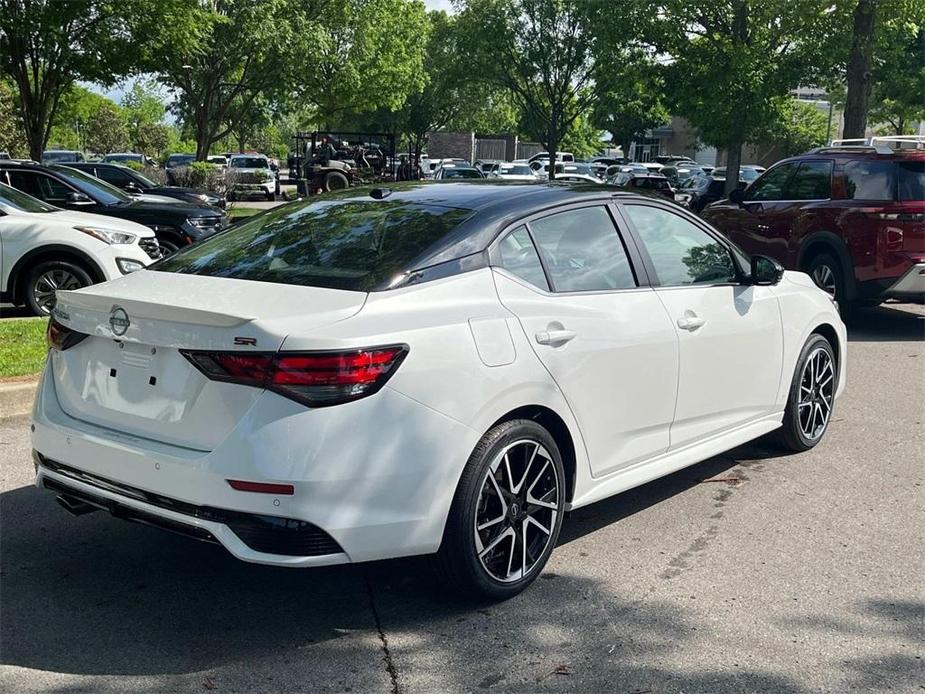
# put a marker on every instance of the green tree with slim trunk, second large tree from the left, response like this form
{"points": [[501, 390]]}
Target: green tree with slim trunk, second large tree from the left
{"points": [[243, 54]]}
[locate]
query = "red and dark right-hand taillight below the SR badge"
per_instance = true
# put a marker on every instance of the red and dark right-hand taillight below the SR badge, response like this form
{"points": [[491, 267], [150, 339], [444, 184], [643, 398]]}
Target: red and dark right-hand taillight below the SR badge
{"points": [[317, 379]]}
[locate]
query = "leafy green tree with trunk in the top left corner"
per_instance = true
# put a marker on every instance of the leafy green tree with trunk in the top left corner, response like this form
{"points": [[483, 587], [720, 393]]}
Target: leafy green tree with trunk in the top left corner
{"points": [[47, 45]]}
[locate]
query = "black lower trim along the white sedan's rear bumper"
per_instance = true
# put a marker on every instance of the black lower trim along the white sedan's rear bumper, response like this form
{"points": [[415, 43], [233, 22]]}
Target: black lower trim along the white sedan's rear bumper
{"points": [[268, 534]]}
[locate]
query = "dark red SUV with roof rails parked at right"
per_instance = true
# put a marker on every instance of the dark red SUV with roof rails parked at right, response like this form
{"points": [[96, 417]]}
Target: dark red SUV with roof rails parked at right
{"points": [[852, 217]]}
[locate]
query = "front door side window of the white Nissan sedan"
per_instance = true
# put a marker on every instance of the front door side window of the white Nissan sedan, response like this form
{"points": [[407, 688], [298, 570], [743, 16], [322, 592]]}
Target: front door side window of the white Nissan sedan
{"points": [[681, 252]]}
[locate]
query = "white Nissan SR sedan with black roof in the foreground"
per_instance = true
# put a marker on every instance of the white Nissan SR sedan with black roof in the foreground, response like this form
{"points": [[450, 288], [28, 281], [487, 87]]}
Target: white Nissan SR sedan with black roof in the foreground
{"points": [[442, 369]]}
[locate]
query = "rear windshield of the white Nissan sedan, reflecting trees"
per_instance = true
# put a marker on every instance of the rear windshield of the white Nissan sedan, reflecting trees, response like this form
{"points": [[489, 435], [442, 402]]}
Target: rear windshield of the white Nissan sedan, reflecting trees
{"points": [[357, 245]]}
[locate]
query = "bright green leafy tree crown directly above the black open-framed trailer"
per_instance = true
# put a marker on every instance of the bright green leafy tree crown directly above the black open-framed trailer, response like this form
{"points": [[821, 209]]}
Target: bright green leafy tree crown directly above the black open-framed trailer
{"points": [[362, 55]]}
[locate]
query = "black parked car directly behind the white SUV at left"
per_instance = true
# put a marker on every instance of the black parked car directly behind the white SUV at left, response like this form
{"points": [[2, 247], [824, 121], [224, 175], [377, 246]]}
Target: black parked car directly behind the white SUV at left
{"points": [[175, 225]]}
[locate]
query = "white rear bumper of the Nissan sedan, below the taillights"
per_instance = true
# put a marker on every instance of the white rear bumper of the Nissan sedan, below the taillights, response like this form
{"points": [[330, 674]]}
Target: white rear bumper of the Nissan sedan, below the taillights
{"points": [[375, 478]]}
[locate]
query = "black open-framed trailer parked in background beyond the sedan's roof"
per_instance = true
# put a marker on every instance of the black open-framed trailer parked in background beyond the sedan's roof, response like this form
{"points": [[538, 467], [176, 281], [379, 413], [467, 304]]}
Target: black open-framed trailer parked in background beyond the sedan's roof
{"points": [[359, 158]]}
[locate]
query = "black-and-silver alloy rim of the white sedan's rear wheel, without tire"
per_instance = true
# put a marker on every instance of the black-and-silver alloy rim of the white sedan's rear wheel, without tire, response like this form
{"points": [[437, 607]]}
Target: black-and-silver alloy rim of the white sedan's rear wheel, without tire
{"points": [[517, 511]]}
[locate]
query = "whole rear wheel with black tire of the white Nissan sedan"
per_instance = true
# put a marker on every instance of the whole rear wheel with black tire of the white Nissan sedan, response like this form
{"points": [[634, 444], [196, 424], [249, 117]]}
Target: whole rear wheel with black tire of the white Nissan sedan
{"points": [[479, 562]]}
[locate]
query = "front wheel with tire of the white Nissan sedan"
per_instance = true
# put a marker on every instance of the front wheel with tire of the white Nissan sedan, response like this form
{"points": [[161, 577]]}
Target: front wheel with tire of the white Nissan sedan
{"points": [[797, 435]]}
